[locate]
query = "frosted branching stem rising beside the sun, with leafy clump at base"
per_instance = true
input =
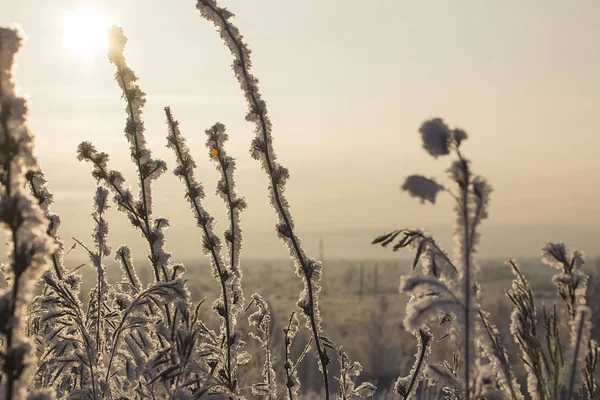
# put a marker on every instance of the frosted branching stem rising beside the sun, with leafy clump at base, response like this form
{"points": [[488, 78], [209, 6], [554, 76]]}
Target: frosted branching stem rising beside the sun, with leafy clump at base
{"points": [[170, 346]]}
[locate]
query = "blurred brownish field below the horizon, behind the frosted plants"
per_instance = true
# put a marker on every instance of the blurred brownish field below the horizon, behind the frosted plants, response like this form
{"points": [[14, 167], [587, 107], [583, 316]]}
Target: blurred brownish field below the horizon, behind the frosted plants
{"points": [[361, 307]]}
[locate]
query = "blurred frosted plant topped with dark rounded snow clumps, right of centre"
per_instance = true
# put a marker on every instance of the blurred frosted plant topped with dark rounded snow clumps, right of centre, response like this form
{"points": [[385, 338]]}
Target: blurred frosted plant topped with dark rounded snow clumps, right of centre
{"points": [[448, 292]]}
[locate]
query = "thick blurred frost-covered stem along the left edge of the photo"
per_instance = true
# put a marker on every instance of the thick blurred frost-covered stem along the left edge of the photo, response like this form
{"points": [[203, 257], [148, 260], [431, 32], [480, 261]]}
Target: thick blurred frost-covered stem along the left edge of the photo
{"points": [[24, 223]]}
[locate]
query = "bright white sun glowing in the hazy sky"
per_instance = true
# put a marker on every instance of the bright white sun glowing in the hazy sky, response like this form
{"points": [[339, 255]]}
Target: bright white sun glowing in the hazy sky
{"points": [[85, 32]]}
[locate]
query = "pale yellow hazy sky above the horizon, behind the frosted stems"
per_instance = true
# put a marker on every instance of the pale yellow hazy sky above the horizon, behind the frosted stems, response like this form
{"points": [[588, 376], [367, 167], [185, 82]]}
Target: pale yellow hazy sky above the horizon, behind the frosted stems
{"points": [[348, 83]]}
